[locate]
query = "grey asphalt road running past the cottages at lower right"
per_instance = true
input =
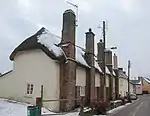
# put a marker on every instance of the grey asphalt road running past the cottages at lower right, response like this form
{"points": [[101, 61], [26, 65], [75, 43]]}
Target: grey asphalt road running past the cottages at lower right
{"points": [[138, 108]]}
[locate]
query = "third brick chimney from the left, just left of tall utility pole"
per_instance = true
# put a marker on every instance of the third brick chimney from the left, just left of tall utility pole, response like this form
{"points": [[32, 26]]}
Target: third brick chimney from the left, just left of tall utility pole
{"points": [[100, 57]]}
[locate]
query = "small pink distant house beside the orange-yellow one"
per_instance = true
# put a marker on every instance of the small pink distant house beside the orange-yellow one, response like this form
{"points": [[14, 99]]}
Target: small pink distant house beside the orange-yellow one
{"points": [[138, 86]]}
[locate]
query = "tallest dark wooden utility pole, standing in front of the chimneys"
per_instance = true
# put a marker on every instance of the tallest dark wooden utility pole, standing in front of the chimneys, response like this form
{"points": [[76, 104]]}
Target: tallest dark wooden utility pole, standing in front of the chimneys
{"points": [[104, 59]]}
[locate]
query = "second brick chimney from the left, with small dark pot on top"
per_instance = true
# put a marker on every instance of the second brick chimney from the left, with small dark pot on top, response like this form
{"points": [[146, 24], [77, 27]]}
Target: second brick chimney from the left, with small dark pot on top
{"points": [[90, 82]]}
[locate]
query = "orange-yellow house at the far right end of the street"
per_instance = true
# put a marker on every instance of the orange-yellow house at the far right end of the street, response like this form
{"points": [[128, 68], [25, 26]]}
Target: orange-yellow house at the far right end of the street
{"points": [[145, 85]]}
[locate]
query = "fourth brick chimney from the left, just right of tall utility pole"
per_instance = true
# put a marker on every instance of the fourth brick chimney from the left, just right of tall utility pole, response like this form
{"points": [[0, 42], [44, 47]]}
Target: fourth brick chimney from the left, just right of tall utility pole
{"points": [[108, 54]]}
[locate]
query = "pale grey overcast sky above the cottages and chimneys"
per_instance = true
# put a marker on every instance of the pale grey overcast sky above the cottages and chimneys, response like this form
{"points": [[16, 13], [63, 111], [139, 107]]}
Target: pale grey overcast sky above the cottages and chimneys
{"points": [[127, 21]]}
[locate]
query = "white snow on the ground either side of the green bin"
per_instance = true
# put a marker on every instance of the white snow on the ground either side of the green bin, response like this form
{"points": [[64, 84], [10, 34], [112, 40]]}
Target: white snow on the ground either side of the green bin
{"points": [[14, 108]]}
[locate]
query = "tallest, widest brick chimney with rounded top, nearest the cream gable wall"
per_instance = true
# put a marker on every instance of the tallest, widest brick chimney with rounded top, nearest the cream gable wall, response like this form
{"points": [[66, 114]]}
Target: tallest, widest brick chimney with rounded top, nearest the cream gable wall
{"points": [[68, 70]]}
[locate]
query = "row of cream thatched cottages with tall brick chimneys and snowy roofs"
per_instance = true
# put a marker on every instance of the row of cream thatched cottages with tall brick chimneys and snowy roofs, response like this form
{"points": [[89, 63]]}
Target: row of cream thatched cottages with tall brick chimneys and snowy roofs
{"points": [[65, 70]]}
